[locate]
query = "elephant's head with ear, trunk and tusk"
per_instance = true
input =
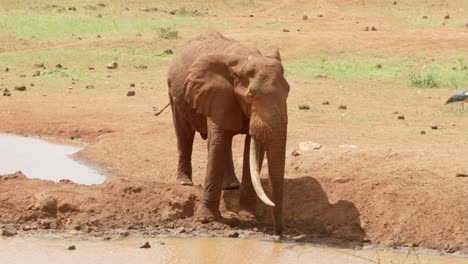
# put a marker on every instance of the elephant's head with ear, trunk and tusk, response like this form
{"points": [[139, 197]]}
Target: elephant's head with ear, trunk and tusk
{"points": [[241, 93]]}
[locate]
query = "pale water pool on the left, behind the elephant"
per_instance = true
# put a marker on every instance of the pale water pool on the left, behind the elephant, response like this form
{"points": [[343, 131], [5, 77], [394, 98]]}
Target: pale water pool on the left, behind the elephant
{"points": [[42, 159]]}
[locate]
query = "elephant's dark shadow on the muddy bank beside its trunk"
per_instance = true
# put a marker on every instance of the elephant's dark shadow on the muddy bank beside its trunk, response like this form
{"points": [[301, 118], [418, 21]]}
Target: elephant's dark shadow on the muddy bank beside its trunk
{"points": [[307, 210]]}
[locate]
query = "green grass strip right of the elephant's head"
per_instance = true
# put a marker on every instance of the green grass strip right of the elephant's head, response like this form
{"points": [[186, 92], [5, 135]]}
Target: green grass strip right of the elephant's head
{"points": [[450, 73]]}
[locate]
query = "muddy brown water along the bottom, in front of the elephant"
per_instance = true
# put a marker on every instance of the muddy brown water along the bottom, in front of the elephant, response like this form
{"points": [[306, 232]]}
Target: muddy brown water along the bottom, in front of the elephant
{"points": [[197, 250]]}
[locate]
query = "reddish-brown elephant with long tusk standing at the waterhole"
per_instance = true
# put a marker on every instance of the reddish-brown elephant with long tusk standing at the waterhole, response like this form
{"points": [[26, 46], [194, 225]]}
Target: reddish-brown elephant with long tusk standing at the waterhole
{"points": [[220, 88]]}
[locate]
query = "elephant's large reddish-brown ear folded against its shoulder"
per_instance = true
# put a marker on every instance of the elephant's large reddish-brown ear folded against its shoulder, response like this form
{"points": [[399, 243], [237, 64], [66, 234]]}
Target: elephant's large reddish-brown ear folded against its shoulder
{"points": [[209, 89]]}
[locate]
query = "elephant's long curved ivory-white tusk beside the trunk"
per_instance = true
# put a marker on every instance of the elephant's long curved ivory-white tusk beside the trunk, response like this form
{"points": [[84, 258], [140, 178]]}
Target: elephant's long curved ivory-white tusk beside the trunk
{"points": [[256, 157]]}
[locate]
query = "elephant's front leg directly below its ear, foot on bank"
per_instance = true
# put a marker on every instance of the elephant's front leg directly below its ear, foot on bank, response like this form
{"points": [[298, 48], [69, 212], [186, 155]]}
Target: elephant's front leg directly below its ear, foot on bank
{"points": [[219, 143]]}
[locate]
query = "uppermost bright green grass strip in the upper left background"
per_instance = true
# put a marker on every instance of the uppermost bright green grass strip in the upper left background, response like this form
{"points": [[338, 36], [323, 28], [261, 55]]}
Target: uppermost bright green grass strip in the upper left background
{"points": [[65, 26]]}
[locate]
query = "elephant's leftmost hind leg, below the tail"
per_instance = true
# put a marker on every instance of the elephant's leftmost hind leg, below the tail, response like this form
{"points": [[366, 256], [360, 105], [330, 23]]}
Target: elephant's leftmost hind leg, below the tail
{"points": [[185, 135]]}
